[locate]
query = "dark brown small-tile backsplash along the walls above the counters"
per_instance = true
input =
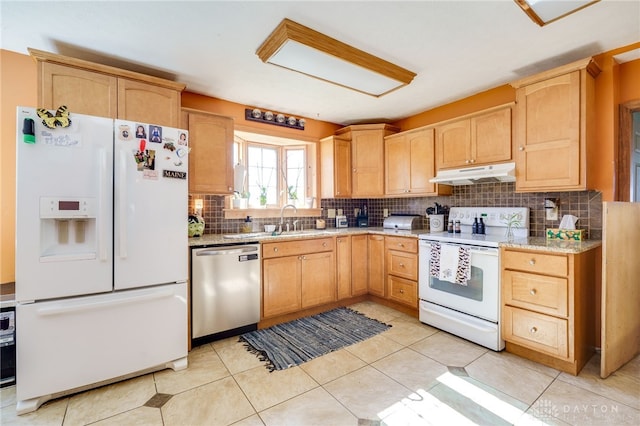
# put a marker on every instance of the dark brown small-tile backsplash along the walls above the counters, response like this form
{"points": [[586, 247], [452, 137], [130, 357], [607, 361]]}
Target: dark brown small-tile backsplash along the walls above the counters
{"points": [[585, 205]]}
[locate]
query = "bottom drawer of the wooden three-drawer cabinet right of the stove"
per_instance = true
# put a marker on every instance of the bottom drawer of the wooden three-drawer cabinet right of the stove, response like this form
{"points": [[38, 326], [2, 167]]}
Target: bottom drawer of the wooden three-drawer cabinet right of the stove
{"points": [[542, 333]]}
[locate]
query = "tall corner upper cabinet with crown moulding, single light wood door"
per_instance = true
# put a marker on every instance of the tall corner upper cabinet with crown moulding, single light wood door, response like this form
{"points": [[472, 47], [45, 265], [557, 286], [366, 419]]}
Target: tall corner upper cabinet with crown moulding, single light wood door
{"points": [[367, 157]]}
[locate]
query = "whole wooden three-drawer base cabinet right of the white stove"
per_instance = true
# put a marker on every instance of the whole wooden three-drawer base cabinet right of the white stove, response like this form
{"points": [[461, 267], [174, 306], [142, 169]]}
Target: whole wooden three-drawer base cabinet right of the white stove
{"points": [[548, 306]]}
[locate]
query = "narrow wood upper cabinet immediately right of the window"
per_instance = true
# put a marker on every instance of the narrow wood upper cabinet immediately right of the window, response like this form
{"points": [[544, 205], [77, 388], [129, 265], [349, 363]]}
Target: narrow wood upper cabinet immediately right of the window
{"points": [[335, 164]]}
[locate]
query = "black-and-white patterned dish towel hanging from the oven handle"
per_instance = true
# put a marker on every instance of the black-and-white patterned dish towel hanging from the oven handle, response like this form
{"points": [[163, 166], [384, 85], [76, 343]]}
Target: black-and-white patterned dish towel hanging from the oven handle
{"points": [[450, 263]]}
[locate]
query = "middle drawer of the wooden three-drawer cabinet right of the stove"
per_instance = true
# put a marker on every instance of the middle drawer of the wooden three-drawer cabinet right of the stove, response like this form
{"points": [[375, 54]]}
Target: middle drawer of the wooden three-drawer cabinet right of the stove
{"points": [[539, 293]]}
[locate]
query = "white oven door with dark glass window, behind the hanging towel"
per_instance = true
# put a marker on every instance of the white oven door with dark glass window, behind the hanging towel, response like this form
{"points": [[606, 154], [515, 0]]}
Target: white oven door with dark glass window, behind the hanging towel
{"points": [[480, 297]]}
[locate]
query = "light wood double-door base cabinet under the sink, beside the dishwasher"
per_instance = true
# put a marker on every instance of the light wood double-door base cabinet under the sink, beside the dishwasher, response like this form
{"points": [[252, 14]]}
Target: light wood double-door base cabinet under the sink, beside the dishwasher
{"points": [[297, 274]]}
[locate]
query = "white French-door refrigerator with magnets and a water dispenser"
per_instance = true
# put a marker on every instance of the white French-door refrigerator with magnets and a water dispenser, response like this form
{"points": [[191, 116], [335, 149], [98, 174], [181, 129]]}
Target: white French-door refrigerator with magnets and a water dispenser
{"points": [[101, 252]]}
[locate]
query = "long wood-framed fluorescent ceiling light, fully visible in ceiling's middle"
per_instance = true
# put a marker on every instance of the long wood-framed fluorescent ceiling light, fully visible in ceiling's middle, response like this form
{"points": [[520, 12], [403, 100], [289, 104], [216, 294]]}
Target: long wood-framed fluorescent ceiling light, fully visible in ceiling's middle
{"points": [[298, 48]]}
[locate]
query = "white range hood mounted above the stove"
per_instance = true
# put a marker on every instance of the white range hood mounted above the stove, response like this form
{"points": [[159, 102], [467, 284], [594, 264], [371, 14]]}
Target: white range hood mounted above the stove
{"points": [[505, 172]]}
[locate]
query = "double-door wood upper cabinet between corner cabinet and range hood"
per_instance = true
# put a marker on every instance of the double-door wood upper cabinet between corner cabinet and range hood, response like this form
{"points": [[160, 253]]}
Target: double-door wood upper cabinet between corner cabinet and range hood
{"points": [[410, 163]]}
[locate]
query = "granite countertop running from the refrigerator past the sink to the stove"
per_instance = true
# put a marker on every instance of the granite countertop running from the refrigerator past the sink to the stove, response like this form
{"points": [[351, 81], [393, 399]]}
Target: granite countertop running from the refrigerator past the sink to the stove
{"points": [[219, 239]]}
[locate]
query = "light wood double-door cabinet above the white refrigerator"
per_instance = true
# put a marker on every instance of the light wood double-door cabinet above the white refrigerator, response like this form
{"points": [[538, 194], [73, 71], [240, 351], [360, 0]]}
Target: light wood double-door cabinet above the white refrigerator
{"points": [[95, 89]]}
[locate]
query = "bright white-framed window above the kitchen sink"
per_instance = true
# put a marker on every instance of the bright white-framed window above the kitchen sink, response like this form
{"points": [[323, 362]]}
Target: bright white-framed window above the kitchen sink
{"points": [[275, 174]]}
